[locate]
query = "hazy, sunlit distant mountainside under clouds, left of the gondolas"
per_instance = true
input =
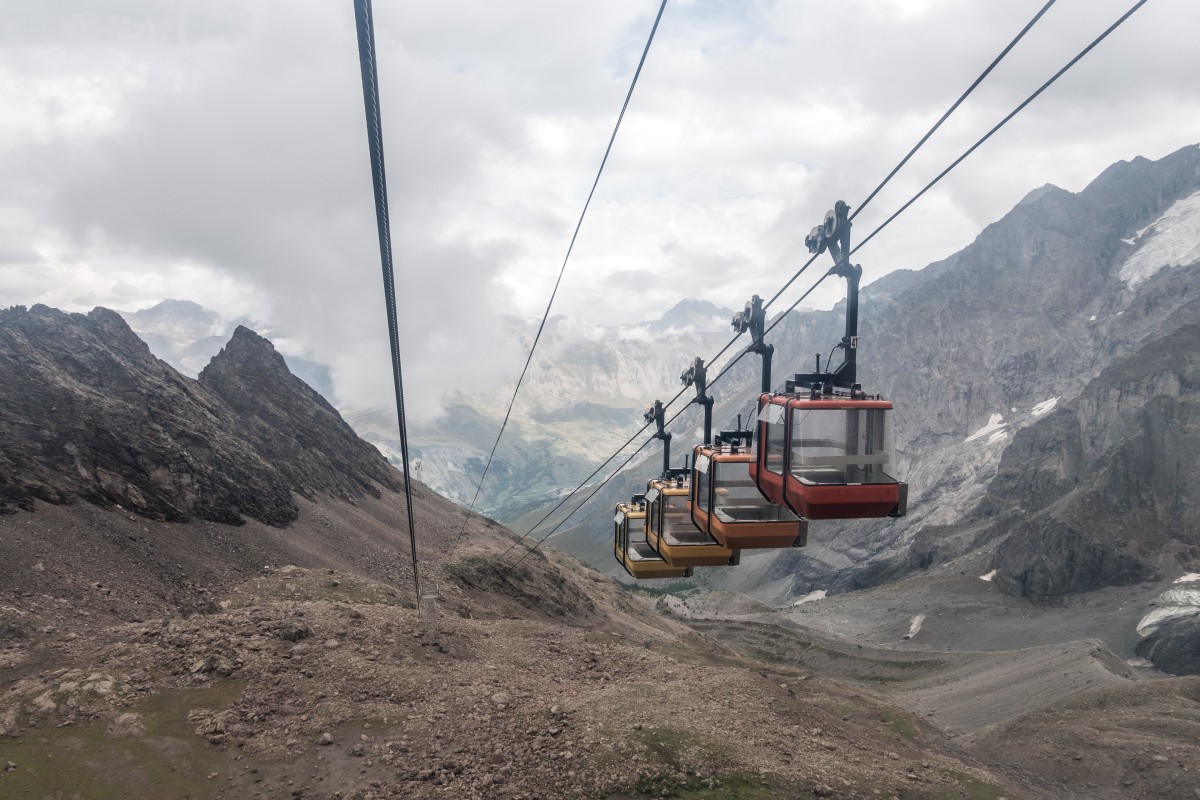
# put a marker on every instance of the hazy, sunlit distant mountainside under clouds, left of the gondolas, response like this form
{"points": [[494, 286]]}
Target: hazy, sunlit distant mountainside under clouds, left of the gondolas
{"points": [[585, 396]]}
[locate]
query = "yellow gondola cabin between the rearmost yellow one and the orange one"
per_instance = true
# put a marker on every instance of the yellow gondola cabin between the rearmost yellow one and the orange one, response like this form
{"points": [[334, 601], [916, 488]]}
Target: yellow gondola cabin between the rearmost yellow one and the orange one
{"points": [[670, 530]]}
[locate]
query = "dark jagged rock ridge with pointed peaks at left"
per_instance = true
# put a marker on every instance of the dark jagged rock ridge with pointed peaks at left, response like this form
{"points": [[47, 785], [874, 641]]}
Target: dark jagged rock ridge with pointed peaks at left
{"points": [[87, 412]]}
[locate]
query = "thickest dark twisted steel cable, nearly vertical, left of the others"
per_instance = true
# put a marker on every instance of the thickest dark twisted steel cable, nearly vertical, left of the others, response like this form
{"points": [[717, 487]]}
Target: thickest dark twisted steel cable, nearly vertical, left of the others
{"points": [[364, 21]]}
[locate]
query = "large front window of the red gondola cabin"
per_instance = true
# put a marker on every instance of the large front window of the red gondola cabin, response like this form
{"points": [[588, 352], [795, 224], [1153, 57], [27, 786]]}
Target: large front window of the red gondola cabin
{"points": [[835, 446]]}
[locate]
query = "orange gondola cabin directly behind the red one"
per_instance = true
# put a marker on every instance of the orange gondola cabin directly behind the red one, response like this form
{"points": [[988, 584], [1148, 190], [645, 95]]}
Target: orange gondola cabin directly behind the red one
{"points": [[728, 506]]}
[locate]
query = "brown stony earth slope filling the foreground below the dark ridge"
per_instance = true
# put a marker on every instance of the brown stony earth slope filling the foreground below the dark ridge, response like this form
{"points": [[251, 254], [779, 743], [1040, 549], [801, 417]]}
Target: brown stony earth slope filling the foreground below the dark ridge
{"points": [[544, 682]]}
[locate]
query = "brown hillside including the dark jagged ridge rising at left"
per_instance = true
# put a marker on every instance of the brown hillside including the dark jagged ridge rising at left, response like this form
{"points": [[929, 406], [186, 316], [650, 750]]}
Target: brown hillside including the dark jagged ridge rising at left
{"points": [[146, 655]]}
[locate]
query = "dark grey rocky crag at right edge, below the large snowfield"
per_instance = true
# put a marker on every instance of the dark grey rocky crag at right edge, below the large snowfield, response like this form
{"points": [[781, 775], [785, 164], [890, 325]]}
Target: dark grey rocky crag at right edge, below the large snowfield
{"points": [[1107, 490]]}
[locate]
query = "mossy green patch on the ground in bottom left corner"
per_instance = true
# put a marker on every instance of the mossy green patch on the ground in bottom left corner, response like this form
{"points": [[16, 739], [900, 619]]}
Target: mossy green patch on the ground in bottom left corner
{"points": [[167, 761]]}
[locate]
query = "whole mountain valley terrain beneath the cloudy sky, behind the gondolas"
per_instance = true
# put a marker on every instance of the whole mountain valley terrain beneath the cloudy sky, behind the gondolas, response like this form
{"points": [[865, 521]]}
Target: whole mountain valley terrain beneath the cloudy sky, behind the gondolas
{"points": [[207, 587]]}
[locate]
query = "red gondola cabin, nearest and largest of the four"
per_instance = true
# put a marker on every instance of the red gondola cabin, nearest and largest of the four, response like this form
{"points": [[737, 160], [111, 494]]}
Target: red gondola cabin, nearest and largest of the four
{"points": [[827, 458]]}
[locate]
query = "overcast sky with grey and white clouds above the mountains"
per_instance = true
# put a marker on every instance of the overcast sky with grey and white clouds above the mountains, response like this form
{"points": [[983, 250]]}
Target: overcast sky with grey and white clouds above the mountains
{"points": [[215, 152]]}
